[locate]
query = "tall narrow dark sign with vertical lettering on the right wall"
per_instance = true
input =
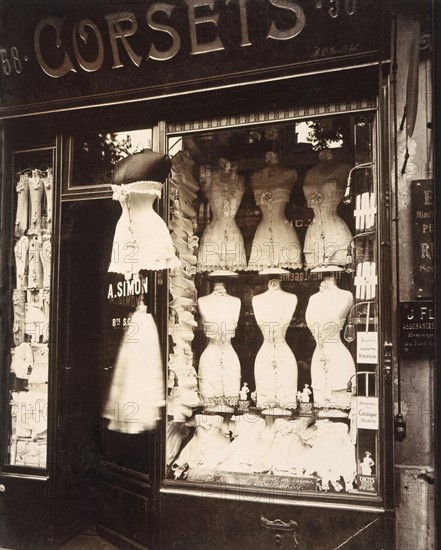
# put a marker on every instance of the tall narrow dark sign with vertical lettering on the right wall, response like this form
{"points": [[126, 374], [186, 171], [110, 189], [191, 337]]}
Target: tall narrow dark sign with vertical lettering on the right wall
{"points": [[423, 230]]}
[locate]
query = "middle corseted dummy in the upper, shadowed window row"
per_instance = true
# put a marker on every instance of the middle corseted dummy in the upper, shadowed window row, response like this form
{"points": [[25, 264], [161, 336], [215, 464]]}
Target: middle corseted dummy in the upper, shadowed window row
{"points": [[275, 243]]}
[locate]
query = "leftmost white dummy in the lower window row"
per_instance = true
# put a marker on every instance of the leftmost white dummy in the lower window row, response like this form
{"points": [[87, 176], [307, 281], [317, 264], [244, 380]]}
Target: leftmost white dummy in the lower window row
{"points": [[219, 366]]}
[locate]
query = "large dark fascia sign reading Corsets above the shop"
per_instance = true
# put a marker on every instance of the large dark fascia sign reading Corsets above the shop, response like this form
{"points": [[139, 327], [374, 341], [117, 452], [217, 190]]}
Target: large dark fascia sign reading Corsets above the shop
{"points": [[53, 52]]}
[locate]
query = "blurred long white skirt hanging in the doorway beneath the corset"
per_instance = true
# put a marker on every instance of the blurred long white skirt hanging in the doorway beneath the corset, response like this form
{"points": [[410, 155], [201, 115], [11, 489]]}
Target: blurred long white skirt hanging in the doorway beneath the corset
{"points": [[136, 392]]}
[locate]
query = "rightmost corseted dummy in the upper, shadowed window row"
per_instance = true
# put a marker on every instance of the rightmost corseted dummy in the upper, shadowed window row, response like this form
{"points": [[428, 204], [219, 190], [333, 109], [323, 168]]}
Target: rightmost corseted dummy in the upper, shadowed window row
{"points": [[327, 237]]}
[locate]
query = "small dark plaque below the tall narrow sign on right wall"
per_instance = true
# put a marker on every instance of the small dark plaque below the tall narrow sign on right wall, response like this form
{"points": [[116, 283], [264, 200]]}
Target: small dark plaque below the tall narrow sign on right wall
{"points": [[417, 329]]}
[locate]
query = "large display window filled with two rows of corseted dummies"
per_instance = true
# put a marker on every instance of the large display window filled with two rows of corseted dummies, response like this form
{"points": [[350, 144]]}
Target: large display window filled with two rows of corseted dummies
{"points": [[273, 361]]}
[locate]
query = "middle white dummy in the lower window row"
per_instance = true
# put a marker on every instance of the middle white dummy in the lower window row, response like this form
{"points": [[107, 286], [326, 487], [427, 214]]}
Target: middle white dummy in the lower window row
{"points": [[275, 368]]}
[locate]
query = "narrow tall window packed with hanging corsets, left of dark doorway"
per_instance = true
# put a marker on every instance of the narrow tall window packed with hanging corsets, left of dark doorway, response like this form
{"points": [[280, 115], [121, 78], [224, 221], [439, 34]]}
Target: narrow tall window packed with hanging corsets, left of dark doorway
{"points": [[30, 300]]}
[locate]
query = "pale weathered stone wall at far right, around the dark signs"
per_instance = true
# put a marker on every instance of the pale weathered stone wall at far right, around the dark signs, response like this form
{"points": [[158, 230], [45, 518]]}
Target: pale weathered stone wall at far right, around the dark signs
{"points": [[414, 457]]}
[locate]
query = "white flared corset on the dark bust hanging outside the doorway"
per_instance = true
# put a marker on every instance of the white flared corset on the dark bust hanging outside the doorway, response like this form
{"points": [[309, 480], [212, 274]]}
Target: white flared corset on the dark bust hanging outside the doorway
{"points": [[142, 239]]}
